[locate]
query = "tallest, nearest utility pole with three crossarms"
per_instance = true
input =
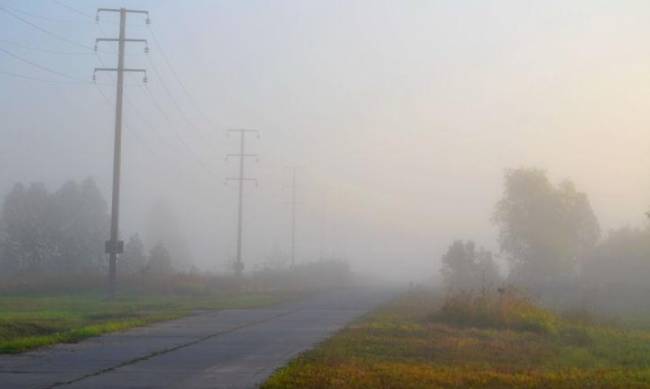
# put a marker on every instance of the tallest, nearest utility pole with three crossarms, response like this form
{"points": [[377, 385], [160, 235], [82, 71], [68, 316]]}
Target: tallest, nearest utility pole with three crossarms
{"points": [[114, 246]]}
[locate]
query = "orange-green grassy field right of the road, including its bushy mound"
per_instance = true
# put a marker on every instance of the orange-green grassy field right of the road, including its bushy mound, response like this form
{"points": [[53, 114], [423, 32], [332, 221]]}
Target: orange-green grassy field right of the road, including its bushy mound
{"points": [[422, 340]]}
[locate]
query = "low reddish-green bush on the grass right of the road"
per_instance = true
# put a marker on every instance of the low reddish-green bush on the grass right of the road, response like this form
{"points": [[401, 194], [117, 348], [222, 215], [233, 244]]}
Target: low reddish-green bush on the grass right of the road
{"points": [[502, 308]]}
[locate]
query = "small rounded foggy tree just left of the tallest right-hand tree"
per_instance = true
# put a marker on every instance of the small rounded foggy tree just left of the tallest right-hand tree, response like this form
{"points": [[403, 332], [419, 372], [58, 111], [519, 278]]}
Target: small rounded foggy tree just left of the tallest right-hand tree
{"points": [[464, 267]]}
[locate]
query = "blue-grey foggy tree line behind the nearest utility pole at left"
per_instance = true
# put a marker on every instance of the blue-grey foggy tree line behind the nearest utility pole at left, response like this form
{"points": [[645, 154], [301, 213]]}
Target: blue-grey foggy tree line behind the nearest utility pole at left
{"points": [[64, 232]]}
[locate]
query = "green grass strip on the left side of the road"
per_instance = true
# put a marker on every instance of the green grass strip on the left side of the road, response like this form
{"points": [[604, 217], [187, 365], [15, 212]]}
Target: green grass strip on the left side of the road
{"points": [[49, 311]]}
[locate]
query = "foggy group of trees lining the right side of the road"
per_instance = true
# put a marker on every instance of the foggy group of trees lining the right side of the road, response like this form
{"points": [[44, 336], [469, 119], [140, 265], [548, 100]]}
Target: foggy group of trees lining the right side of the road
{"points": [[550, 239]]}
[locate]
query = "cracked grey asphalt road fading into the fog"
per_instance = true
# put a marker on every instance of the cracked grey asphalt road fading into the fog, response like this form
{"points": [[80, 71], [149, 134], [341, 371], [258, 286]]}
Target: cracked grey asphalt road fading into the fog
{"points": [[236, 348]]}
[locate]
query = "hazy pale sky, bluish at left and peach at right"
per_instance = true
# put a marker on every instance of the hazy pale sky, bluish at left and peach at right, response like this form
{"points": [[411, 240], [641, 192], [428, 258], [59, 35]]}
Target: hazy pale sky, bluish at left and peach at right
{"points": [[401, 116]]}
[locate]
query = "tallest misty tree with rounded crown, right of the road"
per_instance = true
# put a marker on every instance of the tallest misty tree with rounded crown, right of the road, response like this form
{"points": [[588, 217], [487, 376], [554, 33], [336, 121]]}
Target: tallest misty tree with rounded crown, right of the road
{"points": [[543, 229]]}
